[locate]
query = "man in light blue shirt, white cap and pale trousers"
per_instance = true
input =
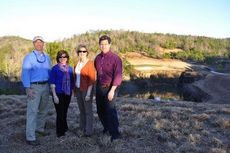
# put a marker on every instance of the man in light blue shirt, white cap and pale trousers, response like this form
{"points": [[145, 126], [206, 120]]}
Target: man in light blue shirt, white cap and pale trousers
{"points": [[35, 75]]}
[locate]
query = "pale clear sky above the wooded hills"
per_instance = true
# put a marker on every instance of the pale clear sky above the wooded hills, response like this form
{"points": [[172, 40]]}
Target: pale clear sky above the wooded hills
{"points": [[59, 19]]}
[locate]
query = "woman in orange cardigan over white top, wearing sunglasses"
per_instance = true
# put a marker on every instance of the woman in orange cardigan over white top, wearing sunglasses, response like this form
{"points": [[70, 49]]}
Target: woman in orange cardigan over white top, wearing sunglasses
{"points": [[85, 76]]}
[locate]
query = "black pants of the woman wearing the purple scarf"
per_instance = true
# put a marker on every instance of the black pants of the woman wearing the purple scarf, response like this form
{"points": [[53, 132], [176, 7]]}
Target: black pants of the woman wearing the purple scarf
{"points": [[61, 110]]}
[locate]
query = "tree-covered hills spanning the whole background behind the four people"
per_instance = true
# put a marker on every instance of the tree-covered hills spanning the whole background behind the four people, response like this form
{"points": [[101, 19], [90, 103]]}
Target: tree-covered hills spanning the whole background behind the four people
{"points": [[156, 45]]}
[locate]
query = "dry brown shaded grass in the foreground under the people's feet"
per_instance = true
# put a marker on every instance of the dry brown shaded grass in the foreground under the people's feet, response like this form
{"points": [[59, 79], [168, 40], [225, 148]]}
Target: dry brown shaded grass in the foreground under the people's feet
{"points": [[146, 126]]}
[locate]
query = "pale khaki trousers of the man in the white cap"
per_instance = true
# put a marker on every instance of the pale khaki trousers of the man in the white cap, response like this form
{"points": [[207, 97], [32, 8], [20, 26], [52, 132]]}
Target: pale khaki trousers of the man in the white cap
{"points": [[37, 110]]}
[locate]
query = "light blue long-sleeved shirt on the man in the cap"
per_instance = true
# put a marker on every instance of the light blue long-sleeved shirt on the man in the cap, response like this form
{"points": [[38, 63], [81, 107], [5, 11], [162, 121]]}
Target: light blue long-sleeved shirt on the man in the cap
{"points": [[35, 68]]}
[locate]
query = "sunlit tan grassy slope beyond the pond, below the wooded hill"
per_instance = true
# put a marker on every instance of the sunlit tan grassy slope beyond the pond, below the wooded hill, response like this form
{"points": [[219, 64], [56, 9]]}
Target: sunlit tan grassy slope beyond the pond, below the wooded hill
{"points": [[145, 66]]}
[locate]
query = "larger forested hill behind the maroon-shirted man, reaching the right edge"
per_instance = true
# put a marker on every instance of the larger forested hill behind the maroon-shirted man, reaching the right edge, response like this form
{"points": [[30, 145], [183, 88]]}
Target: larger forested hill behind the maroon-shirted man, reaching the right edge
{"points": [[156, 44]]}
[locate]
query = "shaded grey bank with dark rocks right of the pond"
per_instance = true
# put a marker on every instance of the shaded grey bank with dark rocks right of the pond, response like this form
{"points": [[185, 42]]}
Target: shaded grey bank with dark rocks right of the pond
{"points": [[201, 86]]}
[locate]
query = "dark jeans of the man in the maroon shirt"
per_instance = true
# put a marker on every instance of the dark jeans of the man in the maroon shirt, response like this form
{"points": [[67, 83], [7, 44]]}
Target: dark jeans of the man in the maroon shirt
{"points": [[106, 110]]}
